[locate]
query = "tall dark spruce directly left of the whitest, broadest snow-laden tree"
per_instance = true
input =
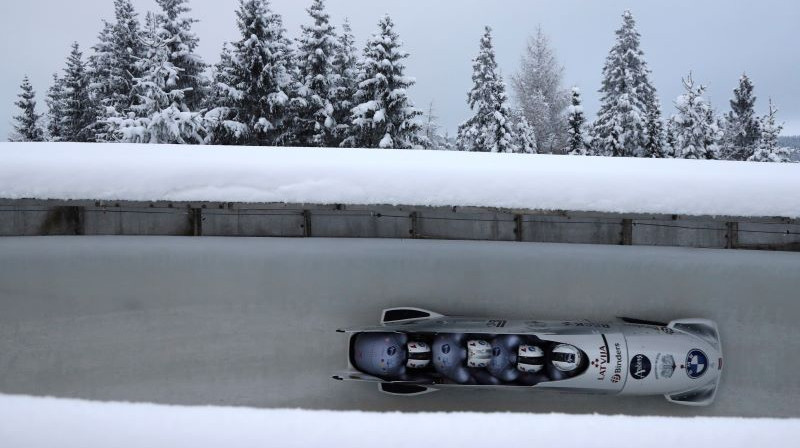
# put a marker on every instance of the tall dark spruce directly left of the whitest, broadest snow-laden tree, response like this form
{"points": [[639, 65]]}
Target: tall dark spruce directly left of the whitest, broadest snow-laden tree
{"points": [[113, 65]]}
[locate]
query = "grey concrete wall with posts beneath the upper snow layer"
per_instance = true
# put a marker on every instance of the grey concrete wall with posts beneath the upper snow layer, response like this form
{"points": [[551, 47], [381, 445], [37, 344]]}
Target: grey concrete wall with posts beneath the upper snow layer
{"points": [[36, 218]]}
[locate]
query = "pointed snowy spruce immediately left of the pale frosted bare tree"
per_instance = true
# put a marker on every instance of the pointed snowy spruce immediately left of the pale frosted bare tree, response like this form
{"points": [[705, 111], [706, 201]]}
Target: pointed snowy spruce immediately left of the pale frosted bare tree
{"points": [[491, 128]]}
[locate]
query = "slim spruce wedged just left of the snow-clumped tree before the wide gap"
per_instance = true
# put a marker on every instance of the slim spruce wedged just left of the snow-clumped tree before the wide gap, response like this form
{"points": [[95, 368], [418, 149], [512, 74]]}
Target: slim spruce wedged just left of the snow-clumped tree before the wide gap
{"points": [[345, 68]]}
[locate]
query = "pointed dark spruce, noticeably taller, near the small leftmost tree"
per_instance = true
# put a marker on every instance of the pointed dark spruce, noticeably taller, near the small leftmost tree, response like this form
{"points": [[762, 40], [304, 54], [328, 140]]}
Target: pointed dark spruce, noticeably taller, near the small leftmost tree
{"points": [[77, 111]]}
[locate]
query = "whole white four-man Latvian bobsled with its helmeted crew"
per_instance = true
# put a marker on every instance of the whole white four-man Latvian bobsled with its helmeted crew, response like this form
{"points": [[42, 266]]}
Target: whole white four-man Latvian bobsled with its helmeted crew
{"points": [[415, 351]]}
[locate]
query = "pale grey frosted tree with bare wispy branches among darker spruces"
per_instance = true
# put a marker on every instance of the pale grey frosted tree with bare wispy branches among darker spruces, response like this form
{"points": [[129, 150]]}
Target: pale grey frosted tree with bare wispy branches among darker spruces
{"points": [[539, 92]]}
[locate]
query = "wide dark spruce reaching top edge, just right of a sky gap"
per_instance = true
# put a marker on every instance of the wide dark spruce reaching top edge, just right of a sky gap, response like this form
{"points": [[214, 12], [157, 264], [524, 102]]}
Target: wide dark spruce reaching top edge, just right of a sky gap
{"points": [[260, 80]]}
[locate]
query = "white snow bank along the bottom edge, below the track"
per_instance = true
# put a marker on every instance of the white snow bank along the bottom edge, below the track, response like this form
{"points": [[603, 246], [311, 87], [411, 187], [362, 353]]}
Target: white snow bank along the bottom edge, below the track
{"points": [[41, 422]]}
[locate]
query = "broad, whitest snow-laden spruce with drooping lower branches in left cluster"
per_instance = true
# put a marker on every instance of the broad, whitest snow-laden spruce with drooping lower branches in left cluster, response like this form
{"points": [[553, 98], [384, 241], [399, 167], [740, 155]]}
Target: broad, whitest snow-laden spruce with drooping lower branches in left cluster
{"points": [[160, 114]]}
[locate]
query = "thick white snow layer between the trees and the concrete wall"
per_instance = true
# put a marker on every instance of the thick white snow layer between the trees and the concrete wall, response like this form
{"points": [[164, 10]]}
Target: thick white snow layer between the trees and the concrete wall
{"points": [[418, 178]]}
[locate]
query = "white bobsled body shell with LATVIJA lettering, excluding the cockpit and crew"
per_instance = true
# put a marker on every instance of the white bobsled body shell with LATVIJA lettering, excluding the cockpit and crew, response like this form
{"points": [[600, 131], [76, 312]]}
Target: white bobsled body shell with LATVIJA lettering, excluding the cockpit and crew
{"points": [[682, 360]]}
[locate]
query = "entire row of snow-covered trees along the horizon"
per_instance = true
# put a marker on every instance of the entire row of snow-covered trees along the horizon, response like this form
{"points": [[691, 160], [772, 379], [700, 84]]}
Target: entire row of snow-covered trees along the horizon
{"points": [[145, 83]]}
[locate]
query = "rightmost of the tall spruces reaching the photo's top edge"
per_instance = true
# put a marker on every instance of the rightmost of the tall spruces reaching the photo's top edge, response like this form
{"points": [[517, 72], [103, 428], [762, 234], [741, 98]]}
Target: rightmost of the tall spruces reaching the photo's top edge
{"points": [[315, 124]]}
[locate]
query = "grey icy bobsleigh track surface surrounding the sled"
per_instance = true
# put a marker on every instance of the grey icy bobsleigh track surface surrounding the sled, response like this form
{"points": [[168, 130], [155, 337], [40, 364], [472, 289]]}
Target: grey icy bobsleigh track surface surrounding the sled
{"points": [[251, 322]]}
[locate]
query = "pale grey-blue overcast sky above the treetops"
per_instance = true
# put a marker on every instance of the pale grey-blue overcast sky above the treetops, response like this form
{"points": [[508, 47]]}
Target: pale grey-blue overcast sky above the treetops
{"points": [[716, 39]]}
